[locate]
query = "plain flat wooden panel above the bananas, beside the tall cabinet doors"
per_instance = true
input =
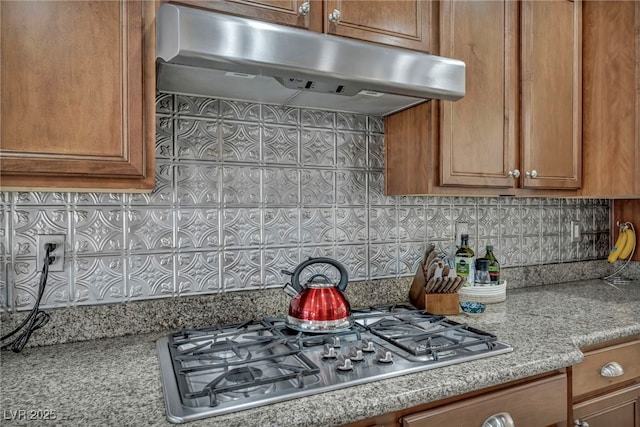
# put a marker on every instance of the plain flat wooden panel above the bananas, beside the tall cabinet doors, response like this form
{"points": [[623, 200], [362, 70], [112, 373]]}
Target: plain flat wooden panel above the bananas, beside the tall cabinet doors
{"points": [[611, 103]]}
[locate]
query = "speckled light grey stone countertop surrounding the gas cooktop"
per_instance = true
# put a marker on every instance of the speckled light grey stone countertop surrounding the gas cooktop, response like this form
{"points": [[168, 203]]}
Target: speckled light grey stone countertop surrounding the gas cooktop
{"points": [[116, 381]]}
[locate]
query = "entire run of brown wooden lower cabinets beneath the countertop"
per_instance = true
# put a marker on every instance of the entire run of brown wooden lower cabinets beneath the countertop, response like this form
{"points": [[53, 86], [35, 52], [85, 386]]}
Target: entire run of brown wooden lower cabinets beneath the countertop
{"points": [[602, 391]]}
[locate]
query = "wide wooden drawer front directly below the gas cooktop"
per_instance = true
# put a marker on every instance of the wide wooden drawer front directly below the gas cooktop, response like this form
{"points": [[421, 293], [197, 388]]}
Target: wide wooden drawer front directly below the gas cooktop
{"points": [[539, 403]]}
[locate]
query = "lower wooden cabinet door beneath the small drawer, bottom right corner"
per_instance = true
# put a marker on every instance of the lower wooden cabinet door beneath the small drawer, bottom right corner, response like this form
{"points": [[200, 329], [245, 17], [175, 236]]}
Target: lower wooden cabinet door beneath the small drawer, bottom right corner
{"points": [[619, 409]]}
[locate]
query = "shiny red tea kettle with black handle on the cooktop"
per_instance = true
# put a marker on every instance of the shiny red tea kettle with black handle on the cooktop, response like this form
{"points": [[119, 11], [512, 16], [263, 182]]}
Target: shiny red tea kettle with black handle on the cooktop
{"points": [[319, 305]]}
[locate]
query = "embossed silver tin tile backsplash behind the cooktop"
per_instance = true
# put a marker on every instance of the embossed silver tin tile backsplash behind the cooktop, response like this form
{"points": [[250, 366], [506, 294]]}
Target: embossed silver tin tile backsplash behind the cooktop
{"points": [[246, 190]]}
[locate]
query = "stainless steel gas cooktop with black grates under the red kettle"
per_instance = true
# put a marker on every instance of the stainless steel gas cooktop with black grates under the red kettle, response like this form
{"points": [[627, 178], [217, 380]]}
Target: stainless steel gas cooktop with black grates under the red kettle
{"points": [[227, 368]]}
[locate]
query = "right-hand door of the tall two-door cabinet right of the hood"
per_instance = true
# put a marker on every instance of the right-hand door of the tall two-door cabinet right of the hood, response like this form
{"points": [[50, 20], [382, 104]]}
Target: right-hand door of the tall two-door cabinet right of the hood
{"points": [[551, 94]]}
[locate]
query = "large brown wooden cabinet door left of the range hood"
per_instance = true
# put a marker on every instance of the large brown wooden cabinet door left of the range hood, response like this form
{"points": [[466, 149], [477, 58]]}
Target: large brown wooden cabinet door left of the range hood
{"points": [[77, 84]]}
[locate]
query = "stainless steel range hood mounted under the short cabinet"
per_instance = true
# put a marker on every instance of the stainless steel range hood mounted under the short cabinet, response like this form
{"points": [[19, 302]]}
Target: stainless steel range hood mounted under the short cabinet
{"points": [[211, 54]]}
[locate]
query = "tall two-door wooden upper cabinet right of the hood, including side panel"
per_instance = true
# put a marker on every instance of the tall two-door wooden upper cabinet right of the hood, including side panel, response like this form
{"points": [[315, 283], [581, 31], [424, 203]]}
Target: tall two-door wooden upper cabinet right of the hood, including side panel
{"points": [[518, 128]]}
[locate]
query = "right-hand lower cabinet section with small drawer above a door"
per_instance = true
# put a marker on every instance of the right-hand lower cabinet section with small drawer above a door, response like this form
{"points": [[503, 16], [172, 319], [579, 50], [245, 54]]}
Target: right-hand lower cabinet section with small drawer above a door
{"points": [[606, 386]]}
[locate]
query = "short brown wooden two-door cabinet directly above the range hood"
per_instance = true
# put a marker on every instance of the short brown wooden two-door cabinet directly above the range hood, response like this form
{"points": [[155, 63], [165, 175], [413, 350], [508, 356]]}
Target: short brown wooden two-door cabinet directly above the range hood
{"points": [[401, 23]]}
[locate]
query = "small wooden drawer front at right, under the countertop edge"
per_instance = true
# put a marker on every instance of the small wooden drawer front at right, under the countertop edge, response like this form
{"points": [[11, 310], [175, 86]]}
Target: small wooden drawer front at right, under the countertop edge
{"points": [[587, 375]]}
